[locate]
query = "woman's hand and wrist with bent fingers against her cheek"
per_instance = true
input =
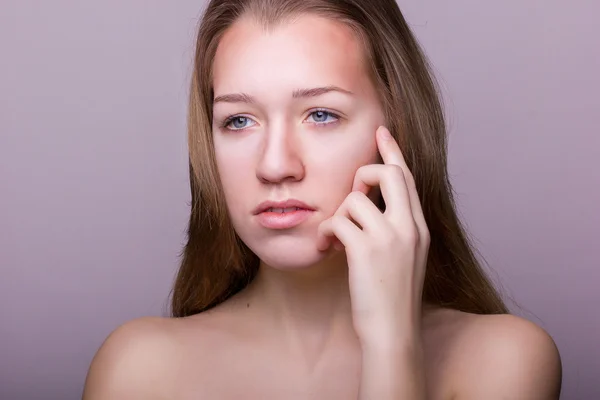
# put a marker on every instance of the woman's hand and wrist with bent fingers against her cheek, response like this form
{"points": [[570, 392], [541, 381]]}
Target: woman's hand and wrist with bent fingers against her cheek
{"points": [[387, 254]]}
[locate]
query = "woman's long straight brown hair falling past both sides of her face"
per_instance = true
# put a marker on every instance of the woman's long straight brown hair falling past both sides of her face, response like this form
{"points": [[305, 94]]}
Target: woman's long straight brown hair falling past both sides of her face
{"points": [[215, 262]]}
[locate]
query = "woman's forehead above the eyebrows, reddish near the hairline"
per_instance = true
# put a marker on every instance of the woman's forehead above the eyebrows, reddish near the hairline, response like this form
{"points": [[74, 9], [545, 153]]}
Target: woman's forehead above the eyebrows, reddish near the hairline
{"points": [[306, 51]]}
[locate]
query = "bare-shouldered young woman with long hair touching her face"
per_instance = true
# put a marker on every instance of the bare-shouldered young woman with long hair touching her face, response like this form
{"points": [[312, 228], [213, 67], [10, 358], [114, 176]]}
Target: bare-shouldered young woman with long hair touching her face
{"points": [[325, 259]]}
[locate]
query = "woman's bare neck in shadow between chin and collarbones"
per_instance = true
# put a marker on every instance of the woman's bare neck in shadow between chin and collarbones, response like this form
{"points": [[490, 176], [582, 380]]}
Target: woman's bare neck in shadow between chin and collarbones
{"points": [[310, 307]]}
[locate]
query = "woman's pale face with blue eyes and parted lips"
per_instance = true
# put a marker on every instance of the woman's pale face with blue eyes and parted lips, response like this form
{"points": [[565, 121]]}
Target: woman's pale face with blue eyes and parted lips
{"points": [[294, 117]]}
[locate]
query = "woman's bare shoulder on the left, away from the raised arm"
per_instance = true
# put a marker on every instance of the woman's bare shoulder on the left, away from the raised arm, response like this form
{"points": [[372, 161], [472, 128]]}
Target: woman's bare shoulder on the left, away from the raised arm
{"points": [[157, 358]]}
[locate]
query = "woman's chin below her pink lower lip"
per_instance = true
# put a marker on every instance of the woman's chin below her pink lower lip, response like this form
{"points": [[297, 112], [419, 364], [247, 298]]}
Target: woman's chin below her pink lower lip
{"points": [[288, 253]]}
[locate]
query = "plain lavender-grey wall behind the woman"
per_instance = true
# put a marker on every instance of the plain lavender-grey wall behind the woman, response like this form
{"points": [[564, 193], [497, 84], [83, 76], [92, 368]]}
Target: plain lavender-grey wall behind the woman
{"points": [[93, 172]]}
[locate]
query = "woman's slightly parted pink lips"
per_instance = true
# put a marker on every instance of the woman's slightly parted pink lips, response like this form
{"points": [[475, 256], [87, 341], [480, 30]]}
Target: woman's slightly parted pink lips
{"points": [[287, 220]]}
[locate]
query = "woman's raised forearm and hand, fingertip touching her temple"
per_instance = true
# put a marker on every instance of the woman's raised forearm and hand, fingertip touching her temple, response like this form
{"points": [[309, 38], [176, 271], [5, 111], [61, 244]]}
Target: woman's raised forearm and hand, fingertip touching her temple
{"points": [[387, 256]]}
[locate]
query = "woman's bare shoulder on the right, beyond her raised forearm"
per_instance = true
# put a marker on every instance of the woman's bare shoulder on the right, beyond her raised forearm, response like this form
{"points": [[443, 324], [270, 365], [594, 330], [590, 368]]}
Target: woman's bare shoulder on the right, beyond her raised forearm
{"points": [[500, 356]]}
